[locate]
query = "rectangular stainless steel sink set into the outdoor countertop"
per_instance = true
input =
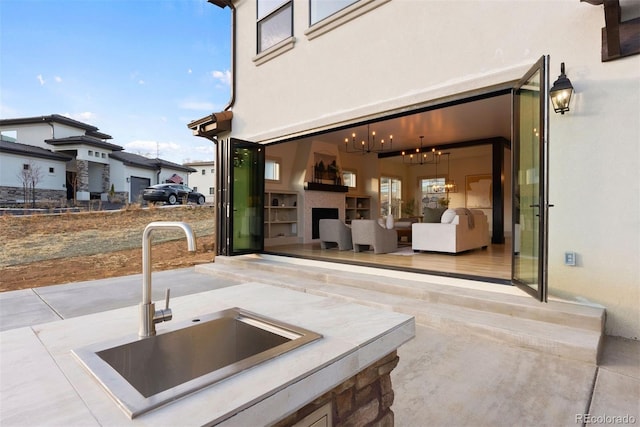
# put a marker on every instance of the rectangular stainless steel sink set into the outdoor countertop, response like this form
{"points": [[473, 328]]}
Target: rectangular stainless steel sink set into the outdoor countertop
{"points": [[142, 374]]}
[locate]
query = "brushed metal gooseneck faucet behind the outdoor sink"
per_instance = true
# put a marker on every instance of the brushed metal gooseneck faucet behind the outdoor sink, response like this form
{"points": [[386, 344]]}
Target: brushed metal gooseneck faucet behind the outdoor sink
{"points": [[149, 316]]}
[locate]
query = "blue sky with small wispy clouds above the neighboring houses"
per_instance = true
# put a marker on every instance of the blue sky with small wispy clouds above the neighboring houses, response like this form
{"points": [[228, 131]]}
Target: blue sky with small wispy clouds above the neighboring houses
{"points": [[139, 70]]}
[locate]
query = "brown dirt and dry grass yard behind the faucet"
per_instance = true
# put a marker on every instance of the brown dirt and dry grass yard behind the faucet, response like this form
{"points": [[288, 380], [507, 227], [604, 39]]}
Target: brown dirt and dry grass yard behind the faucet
{"points": [[42, 250]]}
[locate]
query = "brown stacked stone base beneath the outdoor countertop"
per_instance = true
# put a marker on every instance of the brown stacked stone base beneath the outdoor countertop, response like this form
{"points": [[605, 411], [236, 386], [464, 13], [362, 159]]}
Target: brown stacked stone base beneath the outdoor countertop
{"points": [[363, 400]]}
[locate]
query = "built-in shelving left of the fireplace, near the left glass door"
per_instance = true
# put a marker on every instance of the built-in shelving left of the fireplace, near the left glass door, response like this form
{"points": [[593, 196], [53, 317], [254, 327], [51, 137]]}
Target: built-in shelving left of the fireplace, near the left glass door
{"points": [[280, 218]]}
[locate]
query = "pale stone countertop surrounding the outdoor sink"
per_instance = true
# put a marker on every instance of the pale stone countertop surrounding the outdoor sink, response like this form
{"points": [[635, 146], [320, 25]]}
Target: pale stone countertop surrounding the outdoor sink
{"points": [[42, 383]]}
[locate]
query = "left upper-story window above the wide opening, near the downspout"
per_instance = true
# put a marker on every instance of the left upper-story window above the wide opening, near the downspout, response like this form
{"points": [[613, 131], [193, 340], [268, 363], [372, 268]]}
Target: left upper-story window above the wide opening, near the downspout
{"points": [[275, 22]]}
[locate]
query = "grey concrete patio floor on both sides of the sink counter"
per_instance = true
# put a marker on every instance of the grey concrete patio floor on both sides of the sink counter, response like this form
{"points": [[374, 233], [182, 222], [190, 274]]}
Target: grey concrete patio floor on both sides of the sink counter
{"points": [[443, 379]]}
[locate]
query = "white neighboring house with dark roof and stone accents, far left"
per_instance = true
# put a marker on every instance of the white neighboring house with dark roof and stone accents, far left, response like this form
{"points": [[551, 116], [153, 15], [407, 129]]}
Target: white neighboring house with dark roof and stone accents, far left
{"points": [[73, 160]]}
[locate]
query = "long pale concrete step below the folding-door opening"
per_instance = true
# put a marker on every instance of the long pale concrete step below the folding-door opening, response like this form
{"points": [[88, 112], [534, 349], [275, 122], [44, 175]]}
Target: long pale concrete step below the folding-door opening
{"points": [[499, 312]]}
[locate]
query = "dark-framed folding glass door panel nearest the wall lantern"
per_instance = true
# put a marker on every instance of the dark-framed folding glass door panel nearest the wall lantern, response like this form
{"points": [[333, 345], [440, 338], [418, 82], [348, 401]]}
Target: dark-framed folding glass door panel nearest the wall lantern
{"points": [[529, 189]]}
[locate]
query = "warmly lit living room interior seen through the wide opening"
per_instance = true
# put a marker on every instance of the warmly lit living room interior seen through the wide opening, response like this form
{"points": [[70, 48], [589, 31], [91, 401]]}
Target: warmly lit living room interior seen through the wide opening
{"points": [[401, 173]]}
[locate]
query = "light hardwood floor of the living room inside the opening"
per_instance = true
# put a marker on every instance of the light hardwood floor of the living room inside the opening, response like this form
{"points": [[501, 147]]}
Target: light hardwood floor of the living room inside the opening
{"points": [[491, 264]]}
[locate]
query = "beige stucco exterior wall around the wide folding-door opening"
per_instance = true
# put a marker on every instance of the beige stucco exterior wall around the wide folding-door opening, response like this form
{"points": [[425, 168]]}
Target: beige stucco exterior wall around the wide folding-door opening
{"points": [[407, 52]]}
